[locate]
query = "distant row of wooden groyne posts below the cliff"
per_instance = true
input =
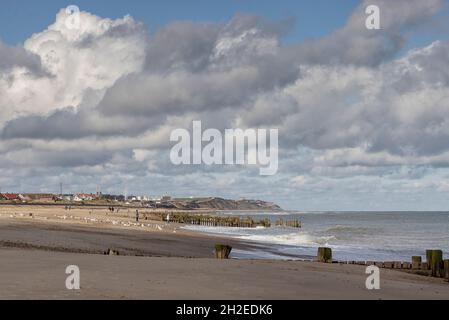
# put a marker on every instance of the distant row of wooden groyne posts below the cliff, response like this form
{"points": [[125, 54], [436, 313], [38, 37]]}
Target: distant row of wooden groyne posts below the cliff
{"points": [[224, 221]]}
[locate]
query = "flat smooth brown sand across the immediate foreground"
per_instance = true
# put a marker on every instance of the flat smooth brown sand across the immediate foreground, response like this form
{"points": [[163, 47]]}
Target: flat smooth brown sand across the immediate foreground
{"points": [[41, 275]]}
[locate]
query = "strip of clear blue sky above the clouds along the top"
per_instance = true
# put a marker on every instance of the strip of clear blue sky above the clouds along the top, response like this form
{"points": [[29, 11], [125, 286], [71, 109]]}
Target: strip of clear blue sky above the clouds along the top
{"points": [[313, 18]]}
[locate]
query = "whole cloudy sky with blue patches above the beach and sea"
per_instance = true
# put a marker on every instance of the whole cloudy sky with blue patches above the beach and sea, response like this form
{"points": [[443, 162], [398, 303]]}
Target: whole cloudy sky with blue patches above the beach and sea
{"points": [[363, 115]]}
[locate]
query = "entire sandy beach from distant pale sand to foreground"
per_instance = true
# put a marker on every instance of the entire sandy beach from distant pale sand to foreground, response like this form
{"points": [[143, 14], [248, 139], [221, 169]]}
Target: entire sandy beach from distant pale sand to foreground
{"points": [[160, 261]]}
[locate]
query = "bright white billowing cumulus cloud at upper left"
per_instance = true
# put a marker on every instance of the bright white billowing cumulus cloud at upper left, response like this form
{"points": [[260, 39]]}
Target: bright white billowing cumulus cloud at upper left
{"points": [[78, 66]]}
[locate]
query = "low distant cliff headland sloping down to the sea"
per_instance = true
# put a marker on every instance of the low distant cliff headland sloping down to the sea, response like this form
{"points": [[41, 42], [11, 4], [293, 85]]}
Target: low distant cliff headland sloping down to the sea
{"points": [[225, 204]]}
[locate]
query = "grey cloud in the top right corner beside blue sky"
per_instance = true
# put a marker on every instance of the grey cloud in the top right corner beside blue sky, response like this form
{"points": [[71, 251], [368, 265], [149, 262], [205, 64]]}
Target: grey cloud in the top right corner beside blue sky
{"points": [[354, 44]]}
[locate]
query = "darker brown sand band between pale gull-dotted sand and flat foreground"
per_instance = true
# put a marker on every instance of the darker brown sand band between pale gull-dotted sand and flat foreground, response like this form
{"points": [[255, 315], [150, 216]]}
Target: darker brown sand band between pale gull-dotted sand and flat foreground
{"points": [[95, 240]]}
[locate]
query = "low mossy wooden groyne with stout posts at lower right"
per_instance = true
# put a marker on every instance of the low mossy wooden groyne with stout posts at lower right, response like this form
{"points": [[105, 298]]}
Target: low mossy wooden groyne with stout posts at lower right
{"points": [[433, 266]]}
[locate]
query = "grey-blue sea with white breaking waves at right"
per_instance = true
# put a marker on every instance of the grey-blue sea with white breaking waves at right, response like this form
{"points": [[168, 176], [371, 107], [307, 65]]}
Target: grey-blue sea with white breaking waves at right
{"points": [[353, 236]]}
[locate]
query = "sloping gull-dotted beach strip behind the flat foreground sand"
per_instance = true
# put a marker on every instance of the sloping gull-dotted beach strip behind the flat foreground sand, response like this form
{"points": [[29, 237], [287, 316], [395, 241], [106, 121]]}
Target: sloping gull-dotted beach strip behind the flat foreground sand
{"points": [[82, 231]]}
